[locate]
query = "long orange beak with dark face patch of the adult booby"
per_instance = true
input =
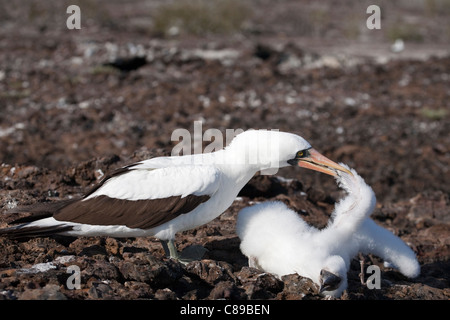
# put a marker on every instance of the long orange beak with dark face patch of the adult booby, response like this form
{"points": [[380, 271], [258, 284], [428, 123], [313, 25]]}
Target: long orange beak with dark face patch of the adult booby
{"points": [[311, 159]]}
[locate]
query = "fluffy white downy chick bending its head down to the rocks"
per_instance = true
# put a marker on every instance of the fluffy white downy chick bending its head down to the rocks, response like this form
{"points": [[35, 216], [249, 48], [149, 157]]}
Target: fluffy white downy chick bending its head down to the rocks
{"points": [[277, 240]]}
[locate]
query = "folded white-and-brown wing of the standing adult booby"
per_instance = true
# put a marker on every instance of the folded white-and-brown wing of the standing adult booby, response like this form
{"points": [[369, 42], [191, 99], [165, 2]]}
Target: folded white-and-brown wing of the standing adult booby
{"points": [[144, 198]]}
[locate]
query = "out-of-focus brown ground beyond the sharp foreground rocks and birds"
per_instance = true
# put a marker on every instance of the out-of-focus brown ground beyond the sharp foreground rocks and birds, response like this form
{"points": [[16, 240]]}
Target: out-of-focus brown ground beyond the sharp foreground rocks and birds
{"points": [[378, 100]]}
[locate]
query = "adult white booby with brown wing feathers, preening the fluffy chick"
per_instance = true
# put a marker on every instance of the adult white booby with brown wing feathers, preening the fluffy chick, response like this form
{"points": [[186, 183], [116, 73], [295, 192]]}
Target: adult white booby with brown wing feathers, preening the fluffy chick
{"points": [[165, 195]]}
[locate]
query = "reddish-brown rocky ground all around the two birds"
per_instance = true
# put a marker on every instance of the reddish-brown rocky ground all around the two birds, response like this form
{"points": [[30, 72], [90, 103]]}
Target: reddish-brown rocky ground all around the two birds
{"points": [[68, 118]]}
